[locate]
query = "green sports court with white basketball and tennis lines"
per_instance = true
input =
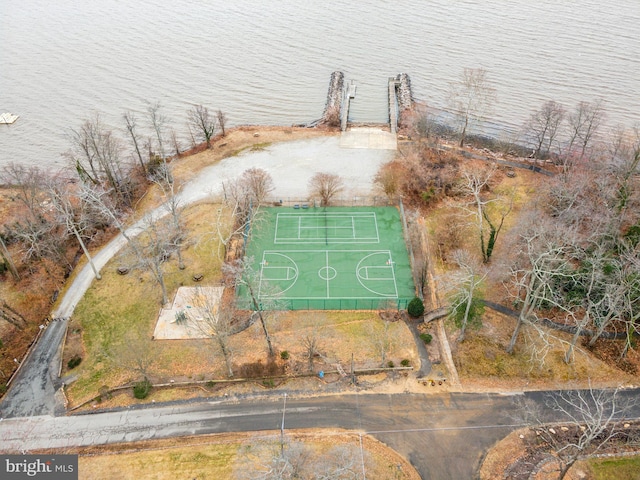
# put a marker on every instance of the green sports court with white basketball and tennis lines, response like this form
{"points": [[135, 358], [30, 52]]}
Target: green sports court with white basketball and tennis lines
{"points": [[336, 258]]}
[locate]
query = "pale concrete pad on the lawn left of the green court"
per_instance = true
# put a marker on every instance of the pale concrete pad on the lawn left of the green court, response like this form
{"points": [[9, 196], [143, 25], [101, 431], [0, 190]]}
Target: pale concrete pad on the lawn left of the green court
{"points": [[186, 300]]}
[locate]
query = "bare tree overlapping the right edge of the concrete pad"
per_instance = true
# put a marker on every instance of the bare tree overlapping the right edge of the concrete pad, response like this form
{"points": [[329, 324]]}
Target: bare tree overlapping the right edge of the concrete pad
{"points": [[216, 322]]}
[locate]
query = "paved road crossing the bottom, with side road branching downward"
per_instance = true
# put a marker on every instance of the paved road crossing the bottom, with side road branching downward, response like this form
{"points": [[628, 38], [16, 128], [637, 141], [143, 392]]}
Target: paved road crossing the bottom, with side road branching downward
{"points": [[444, 436]]}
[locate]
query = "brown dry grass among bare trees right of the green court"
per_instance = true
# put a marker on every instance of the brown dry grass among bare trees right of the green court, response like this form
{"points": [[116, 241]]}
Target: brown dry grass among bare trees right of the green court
{"points": [[481, 359]]}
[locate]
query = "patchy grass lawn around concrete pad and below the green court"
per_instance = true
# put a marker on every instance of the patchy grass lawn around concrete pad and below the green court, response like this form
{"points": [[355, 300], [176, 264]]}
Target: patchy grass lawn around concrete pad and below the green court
{"points": [[118, 314]]}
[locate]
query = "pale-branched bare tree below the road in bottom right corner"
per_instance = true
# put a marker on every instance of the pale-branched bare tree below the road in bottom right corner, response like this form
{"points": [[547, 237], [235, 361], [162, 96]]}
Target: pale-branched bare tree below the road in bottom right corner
{"points": [[590, 420]]}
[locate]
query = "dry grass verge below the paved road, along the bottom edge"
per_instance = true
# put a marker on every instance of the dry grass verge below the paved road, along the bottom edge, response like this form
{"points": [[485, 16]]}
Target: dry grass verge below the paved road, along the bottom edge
{"points": [[215, 456]]}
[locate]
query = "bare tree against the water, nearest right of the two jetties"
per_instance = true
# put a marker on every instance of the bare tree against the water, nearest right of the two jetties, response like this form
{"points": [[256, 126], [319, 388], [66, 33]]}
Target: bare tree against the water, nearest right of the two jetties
{"points": [[471, 98]]}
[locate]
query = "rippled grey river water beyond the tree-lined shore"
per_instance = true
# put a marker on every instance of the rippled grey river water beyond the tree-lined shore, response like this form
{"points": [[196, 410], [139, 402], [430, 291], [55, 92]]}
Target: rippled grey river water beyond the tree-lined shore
{"points": [[269, 62]]}
